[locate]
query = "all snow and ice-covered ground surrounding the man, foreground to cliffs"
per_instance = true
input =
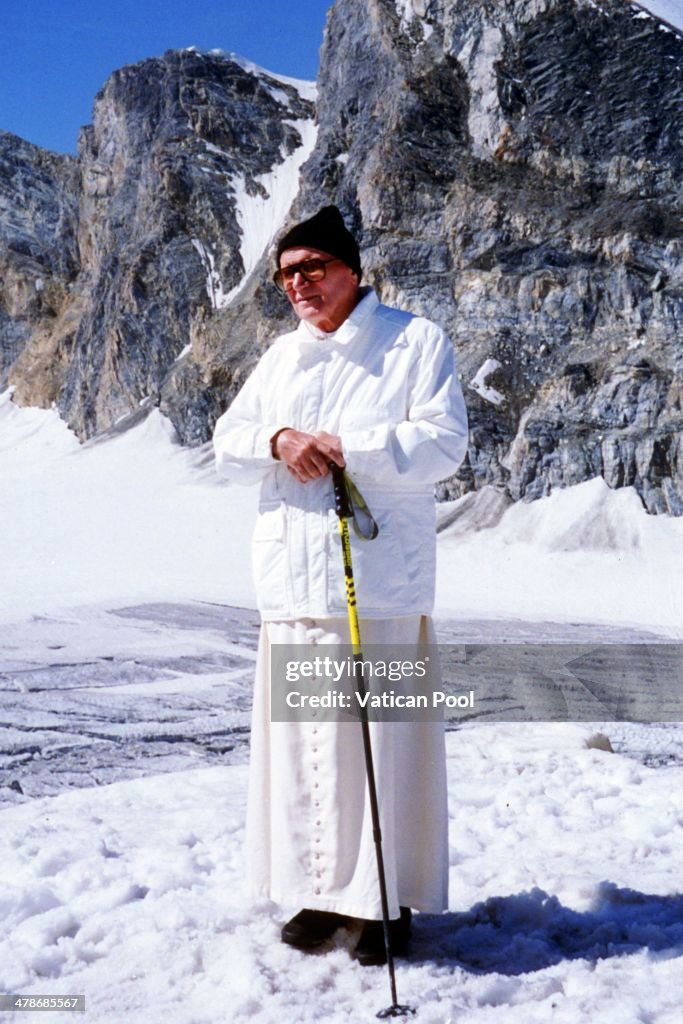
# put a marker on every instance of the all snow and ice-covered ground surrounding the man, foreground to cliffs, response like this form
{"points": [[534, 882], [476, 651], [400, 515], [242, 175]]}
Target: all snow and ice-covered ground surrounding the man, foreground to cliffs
{"points": [[127, 644]]}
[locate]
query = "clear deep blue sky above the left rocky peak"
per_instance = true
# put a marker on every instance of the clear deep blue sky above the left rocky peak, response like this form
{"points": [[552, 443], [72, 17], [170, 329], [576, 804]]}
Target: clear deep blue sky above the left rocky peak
{"points": [[55, 57]]}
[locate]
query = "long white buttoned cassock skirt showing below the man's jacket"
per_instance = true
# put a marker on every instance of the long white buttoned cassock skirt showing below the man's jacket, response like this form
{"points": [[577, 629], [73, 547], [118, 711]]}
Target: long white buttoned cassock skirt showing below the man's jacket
{"points": [[310, 834]]}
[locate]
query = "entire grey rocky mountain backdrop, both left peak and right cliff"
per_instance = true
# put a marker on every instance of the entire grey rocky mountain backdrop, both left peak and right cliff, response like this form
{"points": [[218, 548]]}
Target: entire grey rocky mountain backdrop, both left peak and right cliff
{"points": [[513, 169]]}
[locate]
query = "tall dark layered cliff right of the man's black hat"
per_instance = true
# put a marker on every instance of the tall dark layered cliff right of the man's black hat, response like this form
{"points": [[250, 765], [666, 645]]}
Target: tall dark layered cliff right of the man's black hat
{"points": [[524, 190]]}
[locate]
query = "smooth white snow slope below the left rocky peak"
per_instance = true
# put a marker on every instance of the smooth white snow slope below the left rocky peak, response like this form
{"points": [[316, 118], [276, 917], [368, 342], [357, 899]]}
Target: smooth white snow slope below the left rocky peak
{"points": [[129, 520]]}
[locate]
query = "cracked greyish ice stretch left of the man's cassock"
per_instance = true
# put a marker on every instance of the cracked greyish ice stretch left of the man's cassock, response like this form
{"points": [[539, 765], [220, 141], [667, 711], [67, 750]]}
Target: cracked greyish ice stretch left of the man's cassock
{"points": [[102, 696]]}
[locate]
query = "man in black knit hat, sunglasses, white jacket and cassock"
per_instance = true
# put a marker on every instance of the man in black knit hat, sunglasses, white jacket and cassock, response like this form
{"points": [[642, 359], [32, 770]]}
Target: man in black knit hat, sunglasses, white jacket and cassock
{"points": [[376, 391]]}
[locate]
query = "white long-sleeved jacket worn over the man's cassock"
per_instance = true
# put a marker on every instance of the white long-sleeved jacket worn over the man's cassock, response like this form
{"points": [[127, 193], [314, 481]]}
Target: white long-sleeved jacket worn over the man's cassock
{"points": [[387, 383]]}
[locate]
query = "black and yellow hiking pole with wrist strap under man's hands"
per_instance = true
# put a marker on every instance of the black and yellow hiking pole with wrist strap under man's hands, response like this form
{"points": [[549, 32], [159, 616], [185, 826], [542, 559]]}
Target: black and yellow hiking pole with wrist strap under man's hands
{"points": [[346, 513]]}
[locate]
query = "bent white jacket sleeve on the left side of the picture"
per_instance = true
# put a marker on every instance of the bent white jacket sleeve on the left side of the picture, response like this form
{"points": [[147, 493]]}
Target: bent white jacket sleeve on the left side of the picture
{"points": [[241, 440]]}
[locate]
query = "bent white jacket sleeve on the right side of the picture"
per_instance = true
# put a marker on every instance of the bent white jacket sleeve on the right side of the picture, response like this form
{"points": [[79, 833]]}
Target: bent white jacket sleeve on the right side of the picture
{"points": [[431, 444]]}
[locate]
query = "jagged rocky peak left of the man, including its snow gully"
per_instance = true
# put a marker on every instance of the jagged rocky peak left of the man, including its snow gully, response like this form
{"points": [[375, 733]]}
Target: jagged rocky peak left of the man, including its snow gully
{"points": [[180, 149]]}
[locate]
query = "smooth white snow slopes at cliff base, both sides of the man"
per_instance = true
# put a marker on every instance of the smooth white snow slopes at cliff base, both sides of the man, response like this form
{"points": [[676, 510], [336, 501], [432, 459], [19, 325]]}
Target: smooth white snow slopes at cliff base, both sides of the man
{"points": [[156, 524]]}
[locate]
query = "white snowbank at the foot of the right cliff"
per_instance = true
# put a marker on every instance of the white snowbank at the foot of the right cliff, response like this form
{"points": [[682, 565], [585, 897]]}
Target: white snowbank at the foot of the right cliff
{"points": [[587, 554]]}
